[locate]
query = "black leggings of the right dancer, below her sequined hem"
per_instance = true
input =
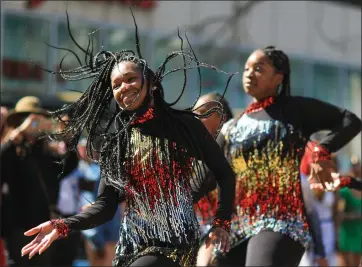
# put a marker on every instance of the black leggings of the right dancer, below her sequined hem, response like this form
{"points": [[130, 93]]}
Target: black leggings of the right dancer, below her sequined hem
{"points": [[264, 249]]}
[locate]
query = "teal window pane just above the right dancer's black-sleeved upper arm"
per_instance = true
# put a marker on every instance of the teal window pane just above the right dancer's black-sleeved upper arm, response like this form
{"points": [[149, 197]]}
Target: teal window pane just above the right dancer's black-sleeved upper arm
{"points": [[326, 83]]}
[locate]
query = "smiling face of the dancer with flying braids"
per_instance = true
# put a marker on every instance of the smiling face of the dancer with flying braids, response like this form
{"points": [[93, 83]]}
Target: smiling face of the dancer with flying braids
{"points": [[126, 81]]}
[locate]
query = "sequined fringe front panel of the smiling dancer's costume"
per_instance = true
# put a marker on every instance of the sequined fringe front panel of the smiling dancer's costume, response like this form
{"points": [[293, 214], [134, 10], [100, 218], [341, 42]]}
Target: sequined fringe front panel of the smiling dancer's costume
{"points": [[159, 203]]}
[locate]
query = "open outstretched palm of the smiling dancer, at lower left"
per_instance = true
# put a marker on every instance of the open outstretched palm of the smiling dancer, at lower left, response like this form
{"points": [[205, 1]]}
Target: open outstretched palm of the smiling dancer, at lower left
{"points": [[45, 237]]}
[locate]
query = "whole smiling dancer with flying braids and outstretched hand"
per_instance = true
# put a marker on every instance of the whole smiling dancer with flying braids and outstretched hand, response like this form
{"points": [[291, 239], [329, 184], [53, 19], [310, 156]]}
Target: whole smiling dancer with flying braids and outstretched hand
{"points": [[149, 154]]}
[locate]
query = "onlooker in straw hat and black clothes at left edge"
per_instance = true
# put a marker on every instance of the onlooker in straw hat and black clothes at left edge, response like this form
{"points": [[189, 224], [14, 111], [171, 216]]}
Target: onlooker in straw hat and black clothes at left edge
{"points": [[29, 174]]}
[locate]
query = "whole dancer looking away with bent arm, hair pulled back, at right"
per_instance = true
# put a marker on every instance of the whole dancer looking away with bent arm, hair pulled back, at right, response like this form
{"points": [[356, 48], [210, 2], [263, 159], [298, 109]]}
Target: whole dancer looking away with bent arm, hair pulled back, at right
{"points": [[264, 146]]}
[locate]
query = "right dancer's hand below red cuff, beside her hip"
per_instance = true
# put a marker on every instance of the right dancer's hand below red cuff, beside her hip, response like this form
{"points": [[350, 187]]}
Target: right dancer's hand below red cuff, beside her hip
{"points": [[322, 175]]}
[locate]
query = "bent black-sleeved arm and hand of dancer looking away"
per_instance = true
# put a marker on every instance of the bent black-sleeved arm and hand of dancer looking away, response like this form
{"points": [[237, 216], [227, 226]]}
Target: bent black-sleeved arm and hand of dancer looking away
{"points": [[314, 115]]}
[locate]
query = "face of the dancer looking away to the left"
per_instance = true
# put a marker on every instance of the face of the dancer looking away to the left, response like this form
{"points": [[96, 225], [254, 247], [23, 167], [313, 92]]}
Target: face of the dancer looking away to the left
{"points": [[260, 80]]}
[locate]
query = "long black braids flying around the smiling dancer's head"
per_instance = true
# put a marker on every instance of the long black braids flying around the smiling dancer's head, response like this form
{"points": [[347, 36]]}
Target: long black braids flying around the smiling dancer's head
{"points": [[108, 124]]}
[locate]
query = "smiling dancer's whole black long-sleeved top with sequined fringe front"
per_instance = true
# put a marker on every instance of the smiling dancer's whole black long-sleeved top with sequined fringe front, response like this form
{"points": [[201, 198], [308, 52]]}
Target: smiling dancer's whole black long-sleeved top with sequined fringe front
{"points": [[159, 166]]}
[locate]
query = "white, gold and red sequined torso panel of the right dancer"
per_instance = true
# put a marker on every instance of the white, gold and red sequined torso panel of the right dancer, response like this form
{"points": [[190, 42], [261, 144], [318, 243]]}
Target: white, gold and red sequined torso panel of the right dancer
{"points": [[265, 156]]}
